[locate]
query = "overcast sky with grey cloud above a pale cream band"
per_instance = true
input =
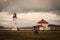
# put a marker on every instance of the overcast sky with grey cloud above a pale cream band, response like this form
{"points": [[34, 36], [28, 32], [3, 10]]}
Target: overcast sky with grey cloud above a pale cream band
{"points": [[29, 12]]}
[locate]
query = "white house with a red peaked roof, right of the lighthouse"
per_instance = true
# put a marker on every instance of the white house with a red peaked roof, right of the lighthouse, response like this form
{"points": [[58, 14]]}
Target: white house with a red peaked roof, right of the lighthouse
{"points": [[43, 25]]}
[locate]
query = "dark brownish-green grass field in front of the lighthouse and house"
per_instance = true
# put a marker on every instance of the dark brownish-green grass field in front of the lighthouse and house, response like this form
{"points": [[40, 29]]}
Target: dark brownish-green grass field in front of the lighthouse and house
{"points": [[29, 35]]}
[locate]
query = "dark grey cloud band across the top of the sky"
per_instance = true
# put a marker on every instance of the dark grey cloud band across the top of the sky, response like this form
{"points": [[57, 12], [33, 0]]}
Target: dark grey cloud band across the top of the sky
{"points": [[32, 5]]}
